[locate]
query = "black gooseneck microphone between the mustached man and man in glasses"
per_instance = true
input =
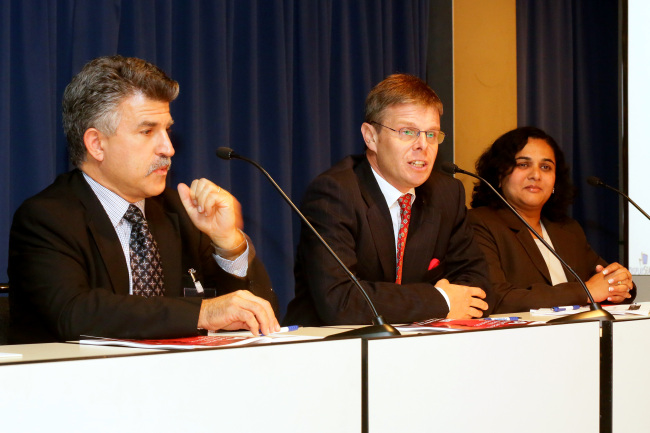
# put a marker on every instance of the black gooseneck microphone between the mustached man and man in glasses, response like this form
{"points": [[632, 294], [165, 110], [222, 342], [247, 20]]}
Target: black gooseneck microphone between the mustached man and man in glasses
{"points": [[379, 328]]}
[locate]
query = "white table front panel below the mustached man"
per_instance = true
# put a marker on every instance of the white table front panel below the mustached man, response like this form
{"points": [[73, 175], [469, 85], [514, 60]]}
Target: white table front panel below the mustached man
{"points": [[309, 386]]}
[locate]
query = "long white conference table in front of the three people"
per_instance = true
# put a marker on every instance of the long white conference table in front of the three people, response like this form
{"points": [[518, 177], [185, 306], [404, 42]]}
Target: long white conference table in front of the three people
{"points": [[536, 378]]}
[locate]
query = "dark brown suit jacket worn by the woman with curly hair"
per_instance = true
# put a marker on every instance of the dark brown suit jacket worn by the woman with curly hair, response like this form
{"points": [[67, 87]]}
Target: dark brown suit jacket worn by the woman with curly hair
{"points": [[518, 272]]}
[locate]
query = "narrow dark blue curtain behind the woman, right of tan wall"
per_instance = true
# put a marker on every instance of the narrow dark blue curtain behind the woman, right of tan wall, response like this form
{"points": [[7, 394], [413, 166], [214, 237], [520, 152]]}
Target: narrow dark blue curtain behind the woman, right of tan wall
{"points": [[567, 73]]}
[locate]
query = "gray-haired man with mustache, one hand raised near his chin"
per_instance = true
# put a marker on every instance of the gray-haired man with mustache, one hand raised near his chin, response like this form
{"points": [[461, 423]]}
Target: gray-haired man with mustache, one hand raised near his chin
{"points": [[106, 249]]}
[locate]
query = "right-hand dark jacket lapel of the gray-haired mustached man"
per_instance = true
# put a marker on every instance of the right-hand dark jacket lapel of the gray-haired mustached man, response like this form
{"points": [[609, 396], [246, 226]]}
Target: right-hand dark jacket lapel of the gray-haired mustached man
{"points": [[165, 230]]}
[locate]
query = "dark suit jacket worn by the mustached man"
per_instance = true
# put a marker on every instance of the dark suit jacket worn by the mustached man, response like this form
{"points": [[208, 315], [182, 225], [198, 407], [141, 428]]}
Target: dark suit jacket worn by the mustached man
{"points": [[69, 276]]}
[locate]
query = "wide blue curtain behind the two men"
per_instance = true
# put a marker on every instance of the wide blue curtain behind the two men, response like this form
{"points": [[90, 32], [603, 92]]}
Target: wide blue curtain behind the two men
{"points": [[282, 82]]}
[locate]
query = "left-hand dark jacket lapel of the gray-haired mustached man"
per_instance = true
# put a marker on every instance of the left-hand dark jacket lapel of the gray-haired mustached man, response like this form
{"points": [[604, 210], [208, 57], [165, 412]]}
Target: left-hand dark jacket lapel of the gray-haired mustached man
{"points": [[104, 235]]}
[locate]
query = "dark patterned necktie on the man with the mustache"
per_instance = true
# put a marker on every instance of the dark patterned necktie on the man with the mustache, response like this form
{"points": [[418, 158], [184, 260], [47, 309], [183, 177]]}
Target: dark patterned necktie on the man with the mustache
{"points": [[146, 266]]}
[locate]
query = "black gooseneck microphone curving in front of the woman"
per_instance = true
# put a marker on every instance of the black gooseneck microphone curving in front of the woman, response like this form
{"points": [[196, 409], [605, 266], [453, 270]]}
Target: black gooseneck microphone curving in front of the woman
{"points": [[596, 312]]}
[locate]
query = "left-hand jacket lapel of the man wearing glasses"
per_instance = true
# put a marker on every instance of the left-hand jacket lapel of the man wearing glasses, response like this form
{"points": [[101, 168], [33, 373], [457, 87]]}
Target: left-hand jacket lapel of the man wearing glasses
{"points": [[379, 219]]}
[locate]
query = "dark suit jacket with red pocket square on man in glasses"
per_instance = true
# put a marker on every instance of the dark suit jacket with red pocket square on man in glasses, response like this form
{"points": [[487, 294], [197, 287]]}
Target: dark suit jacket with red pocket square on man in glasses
{"points": [[348, 209]]}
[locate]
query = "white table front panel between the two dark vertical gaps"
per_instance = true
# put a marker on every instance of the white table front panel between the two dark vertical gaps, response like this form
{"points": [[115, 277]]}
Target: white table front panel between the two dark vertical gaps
{"points": [[532, 379]]}
